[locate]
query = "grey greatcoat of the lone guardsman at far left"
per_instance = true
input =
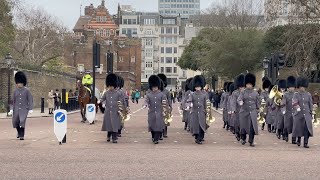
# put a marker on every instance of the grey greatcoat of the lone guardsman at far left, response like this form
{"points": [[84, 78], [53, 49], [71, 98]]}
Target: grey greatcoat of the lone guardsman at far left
{"points": [[22, 103]]}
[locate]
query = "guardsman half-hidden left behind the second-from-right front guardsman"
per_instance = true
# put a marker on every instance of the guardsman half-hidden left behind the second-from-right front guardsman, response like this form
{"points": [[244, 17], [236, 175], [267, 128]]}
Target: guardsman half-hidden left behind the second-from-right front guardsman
{"points": [[235, 107]]}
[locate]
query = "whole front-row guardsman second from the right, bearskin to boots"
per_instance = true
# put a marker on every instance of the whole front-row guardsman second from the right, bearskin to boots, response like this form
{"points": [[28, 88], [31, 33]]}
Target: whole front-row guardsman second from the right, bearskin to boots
{"points": [[249, 101]]}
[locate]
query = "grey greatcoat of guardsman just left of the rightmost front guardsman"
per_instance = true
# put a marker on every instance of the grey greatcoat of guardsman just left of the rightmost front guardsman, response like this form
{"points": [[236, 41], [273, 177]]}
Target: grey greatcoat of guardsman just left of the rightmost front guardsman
{"points": [[288, 109]]}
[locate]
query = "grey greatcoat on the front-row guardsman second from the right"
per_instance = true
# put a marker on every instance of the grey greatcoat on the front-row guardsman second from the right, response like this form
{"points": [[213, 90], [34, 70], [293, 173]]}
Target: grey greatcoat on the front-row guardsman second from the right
{"points": [[249, 110]]}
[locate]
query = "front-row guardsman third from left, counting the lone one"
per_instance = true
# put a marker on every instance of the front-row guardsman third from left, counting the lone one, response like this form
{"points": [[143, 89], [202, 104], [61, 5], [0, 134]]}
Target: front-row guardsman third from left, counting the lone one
{"points": [[157, 103]]}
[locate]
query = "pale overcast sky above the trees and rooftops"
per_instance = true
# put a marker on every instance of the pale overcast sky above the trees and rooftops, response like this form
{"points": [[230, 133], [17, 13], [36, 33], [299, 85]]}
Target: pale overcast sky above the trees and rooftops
{"points": [[68, 11]]}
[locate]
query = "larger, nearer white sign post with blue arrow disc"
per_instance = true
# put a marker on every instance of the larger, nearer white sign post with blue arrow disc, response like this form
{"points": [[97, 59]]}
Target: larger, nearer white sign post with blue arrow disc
{"points": [[60, 124]]}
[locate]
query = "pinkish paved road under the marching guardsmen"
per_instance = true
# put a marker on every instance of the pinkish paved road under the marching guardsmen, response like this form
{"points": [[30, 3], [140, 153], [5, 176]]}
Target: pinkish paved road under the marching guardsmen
{"points": [[87, 155]]}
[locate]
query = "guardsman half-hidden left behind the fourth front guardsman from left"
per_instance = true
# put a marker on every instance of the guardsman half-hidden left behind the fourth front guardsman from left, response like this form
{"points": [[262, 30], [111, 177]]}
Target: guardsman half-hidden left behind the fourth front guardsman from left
{"points": [[186, 113]]}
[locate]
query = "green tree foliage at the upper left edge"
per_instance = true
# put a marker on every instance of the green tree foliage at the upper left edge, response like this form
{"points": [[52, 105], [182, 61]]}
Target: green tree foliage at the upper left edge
{"points": [[6, 27]]}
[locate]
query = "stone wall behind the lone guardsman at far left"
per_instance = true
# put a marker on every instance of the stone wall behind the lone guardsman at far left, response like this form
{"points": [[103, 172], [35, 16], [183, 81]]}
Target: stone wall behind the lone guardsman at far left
{"points": [[39, 84]]}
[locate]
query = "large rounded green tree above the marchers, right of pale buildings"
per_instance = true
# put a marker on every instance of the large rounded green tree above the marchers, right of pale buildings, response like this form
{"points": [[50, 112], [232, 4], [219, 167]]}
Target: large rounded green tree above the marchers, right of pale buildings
{"points": [[224, 52]]}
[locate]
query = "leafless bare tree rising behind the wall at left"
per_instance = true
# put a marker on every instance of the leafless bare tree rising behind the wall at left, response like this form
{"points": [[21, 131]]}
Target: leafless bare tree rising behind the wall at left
{"points": [[39, 36]]}
